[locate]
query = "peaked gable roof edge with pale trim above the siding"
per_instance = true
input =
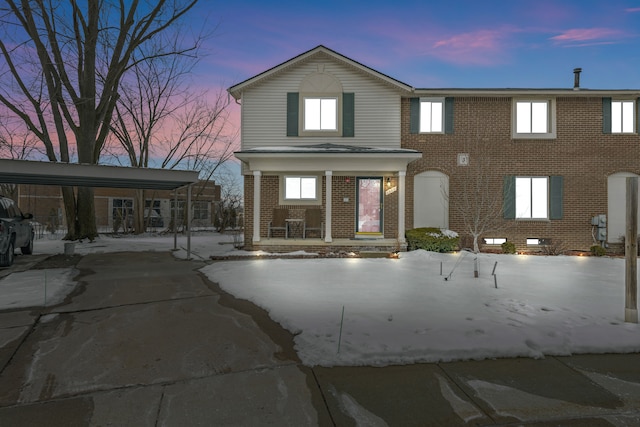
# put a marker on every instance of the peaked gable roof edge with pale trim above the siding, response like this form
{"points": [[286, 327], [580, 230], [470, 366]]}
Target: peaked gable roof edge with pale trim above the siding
{"points": [[318, 51]]}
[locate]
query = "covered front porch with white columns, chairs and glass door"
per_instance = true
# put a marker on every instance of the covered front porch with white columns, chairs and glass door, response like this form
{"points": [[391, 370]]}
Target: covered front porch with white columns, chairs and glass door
{"points": [[337, 170]]}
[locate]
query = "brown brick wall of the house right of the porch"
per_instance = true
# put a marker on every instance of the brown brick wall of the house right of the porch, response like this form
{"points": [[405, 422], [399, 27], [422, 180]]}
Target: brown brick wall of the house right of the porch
{"points": [[581, 153]]}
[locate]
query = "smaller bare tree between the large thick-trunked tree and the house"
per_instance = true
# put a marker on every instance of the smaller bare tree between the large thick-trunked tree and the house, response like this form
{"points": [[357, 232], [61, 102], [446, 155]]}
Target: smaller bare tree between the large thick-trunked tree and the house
{"points": [[160, 121]]}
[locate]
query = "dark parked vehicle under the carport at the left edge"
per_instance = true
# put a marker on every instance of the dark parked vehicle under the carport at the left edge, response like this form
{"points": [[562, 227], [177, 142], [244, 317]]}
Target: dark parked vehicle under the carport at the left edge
{"points": [[16, 230]]}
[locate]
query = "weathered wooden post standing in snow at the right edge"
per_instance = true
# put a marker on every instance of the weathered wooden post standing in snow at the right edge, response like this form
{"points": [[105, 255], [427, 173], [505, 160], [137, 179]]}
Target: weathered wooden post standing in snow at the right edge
{"points": [[631, 253]]}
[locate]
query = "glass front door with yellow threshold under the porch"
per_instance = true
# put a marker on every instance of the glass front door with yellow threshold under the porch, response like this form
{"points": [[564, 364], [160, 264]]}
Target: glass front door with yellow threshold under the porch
{"points": [[369, 195]]}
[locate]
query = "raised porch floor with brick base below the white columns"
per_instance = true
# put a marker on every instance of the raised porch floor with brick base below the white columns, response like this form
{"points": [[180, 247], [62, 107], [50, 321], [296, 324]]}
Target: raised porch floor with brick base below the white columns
{"points": [[280, 245]]}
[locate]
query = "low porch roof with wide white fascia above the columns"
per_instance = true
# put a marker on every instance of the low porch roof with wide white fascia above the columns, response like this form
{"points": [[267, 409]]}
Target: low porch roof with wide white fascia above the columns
{"points": [[327, 157]]}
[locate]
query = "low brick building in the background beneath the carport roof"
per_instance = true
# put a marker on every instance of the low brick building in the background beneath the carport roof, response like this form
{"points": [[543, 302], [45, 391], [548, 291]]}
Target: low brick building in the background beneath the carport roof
{"points": [[114, 207]]}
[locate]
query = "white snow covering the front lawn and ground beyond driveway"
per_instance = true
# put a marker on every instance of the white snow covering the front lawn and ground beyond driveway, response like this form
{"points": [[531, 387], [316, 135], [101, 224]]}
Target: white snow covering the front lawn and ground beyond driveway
{"points": [[374, 311]]}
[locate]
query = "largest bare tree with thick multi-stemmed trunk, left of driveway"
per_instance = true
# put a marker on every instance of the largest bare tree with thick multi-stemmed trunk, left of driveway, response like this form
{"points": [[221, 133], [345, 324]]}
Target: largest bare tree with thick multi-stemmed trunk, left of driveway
{"points": [[62, 64]]}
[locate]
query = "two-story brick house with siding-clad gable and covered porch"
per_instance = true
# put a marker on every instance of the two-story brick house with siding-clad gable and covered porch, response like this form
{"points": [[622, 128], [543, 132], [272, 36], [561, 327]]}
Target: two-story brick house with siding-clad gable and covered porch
{"points": [[378, 157]]}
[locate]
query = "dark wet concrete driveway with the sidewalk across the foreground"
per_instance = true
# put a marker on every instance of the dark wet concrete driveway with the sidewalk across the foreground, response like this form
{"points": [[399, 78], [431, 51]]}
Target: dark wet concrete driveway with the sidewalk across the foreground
{"points": [[147, 340]]}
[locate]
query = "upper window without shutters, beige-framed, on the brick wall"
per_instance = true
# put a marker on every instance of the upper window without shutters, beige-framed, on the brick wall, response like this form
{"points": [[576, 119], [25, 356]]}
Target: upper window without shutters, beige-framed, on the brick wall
{"points": [[533, 118]]}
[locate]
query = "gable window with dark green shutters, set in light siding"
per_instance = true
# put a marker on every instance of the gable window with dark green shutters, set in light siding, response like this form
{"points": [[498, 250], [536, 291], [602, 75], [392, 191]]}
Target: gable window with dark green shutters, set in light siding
{"points": [[320, 115]]}
